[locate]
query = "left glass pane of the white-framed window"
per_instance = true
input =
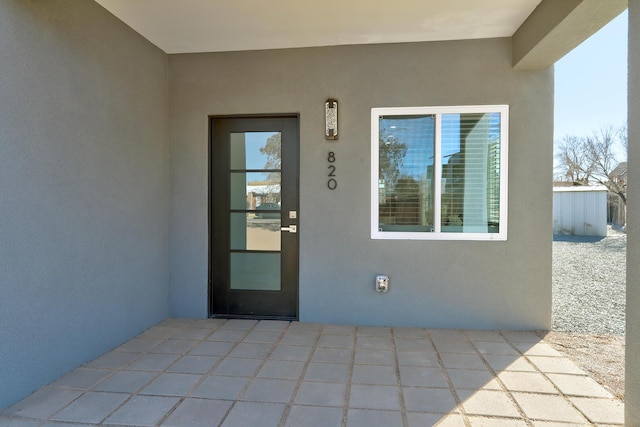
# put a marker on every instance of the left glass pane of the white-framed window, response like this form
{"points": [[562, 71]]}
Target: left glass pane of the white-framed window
{"points": [[405, 177]]}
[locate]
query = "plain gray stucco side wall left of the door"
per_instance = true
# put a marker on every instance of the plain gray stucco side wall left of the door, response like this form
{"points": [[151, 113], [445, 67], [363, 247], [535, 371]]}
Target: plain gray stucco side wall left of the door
{"points": [[84, 185]]}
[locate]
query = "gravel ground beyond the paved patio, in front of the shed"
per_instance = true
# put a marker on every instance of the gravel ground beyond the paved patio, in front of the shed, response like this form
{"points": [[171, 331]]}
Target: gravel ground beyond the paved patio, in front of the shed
{"points": [[589, 305]]}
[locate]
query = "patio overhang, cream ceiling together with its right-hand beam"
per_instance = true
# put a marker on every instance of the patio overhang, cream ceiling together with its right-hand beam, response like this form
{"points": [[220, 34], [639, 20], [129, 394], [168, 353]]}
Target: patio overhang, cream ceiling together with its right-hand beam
{"points": [[542, 31]]}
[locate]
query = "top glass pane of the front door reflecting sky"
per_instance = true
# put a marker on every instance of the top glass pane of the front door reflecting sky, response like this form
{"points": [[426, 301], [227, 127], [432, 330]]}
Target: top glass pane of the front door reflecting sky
{"points": [[255, 150]]}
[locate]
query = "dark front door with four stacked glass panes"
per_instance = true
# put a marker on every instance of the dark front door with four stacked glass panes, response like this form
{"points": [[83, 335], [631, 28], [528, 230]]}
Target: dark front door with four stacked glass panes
{"points": [[254, 216]]}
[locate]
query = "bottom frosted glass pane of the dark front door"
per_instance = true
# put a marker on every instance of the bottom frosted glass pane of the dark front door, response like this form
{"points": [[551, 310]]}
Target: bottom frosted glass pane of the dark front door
{"points": [[255, 271]]}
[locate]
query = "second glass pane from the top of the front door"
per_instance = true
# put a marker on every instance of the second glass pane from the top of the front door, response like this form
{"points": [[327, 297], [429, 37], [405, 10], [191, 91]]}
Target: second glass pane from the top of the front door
{"points": [[250, 190]]}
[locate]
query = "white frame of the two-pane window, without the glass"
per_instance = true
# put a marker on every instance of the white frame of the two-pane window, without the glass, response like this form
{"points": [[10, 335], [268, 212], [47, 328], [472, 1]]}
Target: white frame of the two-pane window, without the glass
{"points": [[376, 113]]}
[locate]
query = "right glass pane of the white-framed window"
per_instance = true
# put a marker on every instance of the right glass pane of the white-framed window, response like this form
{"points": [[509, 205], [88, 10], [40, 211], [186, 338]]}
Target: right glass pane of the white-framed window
{"points": [[470, 155]]}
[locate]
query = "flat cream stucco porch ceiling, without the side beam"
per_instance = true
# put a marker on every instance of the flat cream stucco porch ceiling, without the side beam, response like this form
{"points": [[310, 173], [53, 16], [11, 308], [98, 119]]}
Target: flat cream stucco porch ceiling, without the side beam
{"points": [[186, 26]]}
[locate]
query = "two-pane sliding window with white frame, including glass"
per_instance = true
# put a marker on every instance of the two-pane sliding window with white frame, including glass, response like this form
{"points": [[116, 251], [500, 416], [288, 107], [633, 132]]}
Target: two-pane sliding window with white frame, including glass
{"points": [[439, 173]]}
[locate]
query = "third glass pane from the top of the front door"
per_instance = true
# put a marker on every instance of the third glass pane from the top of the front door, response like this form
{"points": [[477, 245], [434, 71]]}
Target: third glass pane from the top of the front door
{"points": [[259, 231]]}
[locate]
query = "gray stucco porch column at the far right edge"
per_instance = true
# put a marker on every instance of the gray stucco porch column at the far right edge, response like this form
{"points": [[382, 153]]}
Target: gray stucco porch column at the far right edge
{"points": [[632, 366]]}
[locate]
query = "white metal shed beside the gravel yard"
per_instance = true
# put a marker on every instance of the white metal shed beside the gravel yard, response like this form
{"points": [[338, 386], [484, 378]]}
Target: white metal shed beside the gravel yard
{"points": [[580, 211]]}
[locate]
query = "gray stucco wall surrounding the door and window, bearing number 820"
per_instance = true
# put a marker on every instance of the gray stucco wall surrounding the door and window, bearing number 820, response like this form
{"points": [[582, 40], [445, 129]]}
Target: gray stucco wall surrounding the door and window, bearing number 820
{"points": [[433, 284]]}
